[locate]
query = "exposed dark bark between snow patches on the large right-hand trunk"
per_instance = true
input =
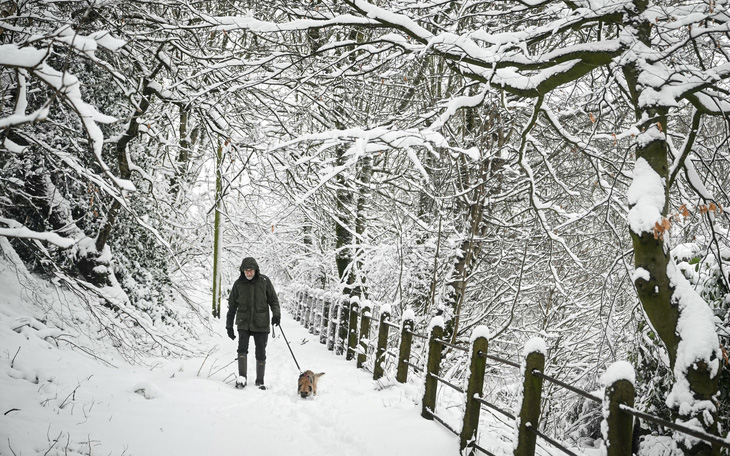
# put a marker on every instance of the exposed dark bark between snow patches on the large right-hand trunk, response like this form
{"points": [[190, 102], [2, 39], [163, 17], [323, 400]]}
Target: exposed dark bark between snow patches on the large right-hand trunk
{"points": [[658, 295]]}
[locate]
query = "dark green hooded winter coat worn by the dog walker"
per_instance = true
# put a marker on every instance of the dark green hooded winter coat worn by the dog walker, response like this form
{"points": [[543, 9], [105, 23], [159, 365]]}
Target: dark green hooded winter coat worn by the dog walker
{"points": [[250, 301]]}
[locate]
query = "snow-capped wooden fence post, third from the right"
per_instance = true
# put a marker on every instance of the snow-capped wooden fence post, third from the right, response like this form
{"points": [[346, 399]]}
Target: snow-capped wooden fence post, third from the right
{"points": [[479, 344]]}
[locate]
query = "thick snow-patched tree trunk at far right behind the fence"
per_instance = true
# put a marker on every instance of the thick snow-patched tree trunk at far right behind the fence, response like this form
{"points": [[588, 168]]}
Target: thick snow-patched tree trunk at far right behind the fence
{"points": [[661, 291]]}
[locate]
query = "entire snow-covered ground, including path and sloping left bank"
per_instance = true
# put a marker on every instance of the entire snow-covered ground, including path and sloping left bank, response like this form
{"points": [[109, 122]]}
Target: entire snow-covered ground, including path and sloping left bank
{"points": [[65, 390]]}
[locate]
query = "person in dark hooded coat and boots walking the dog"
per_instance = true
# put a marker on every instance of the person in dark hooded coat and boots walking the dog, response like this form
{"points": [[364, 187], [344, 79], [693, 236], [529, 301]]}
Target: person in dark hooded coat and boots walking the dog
{"points": [[251, 299]]}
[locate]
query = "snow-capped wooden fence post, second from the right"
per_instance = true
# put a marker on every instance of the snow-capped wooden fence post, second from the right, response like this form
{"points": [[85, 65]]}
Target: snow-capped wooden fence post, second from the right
{"points": [[529, 412]]}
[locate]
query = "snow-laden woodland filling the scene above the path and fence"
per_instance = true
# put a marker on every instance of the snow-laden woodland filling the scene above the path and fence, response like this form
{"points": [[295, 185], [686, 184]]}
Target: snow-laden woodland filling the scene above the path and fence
{"points": [[525, 165]]}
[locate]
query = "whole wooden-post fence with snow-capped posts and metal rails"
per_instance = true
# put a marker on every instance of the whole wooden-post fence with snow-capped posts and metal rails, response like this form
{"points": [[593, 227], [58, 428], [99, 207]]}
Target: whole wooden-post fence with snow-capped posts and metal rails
{"points": [[335, 319]]}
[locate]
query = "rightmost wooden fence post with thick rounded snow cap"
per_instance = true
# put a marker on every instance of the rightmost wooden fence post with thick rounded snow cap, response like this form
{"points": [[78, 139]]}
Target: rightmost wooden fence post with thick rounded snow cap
{"points": [[618, 425]]}
